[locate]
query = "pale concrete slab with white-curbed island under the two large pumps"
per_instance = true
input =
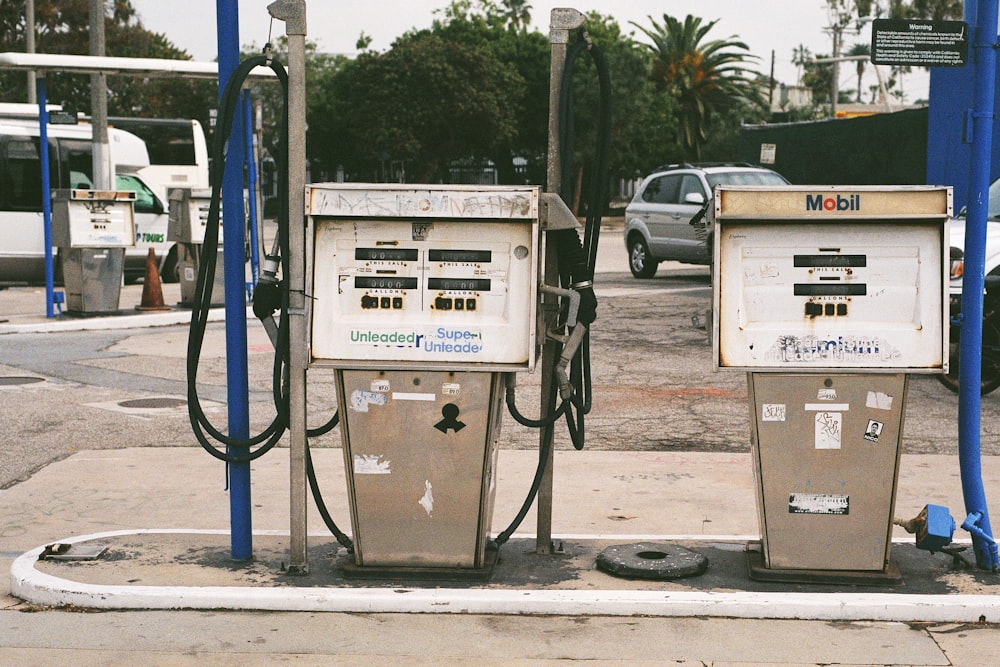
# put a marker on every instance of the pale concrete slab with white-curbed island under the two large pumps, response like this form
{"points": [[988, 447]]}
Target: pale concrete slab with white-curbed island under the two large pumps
{"points": [[162, 513]]}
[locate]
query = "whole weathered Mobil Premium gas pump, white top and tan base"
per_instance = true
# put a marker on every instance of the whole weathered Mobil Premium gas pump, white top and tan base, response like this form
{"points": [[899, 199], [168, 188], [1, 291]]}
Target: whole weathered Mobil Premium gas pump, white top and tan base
{"points": [[829, 297]]}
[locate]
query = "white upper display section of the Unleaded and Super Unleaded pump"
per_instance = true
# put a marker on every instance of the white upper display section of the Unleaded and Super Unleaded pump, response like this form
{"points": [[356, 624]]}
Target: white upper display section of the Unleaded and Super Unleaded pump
{"points": [[442, 276]]}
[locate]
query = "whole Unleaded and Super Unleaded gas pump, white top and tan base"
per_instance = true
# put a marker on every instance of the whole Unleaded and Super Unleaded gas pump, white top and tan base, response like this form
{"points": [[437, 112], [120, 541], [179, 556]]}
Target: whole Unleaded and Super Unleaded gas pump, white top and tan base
{"points": [[423, 298]]}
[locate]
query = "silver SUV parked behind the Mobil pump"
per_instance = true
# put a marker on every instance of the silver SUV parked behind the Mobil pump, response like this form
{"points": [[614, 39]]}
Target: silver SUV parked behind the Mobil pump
{"points": [[657, 221]]}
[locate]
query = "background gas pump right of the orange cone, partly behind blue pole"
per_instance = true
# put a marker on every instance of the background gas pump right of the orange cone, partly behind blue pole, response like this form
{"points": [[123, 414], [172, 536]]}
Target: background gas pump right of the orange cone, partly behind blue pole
{"points": [[188, 218]]}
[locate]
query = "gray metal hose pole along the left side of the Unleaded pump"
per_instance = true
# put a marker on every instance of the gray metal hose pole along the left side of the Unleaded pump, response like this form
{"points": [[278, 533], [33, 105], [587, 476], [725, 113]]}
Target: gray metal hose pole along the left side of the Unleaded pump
{"points": [[293, 12]]}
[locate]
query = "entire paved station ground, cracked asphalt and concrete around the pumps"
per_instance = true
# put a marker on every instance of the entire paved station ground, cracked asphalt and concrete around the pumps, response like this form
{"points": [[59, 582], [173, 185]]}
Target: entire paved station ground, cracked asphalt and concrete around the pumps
{"points": [[98, 453]]}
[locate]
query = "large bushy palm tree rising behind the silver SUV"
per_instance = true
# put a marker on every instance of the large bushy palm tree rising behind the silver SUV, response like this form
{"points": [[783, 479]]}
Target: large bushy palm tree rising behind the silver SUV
{"points": [[706, 77]]}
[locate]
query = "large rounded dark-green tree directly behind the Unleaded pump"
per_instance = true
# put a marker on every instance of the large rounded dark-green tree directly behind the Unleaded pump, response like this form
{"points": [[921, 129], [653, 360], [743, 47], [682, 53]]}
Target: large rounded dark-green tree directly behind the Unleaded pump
{"points": [[427, 101]]}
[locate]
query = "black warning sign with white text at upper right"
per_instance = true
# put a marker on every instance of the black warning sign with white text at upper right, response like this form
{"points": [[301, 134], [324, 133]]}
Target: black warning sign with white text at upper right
{"points": [[920, 42]]}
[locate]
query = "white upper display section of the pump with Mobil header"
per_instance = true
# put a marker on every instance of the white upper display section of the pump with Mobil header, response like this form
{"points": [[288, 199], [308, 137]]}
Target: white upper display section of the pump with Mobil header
{"points": [[853, 278]]}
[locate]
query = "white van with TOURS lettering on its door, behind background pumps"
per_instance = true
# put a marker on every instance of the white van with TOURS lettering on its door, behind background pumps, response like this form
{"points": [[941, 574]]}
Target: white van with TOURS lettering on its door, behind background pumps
{"points": [[22, 235]]}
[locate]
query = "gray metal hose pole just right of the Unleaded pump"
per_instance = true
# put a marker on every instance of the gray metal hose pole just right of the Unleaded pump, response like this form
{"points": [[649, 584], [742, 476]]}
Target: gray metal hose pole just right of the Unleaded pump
{"points": [[560, 23]]}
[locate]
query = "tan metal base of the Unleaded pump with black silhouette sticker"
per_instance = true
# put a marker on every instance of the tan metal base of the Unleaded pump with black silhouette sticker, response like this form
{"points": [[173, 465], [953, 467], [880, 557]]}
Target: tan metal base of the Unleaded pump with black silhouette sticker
{"points": [[420, 448]]}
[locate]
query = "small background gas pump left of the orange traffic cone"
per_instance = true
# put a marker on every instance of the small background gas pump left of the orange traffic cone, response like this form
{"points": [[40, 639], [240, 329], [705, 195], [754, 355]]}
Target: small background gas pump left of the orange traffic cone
{"points": [[92, 228]]}
